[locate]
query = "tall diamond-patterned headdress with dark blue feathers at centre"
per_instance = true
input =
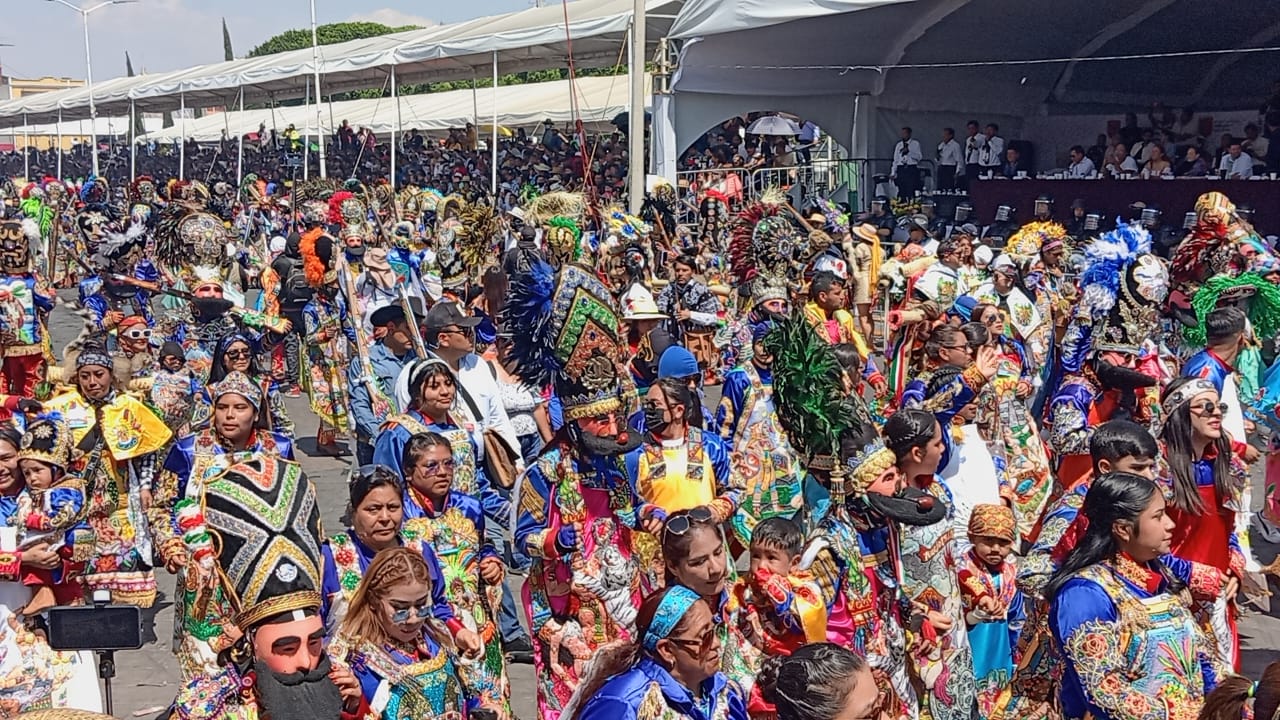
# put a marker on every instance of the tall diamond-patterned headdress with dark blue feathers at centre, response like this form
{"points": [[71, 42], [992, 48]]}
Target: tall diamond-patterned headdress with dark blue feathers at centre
{"points": [[570, 338]]}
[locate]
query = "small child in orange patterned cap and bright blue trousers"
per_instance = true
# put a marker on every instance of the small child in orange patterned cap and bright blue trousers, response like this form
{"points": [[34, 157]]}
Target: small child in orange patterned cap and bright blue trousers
{"points": [[993, 604]]}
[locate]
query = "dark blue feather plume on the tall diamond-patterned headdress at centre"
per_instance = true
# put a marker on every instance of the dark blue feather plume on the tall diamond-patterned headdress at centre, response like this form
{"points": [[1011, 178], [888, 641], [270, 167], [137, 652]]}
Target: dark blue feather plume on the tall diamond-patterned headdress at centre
{"points": [[528, 316]]}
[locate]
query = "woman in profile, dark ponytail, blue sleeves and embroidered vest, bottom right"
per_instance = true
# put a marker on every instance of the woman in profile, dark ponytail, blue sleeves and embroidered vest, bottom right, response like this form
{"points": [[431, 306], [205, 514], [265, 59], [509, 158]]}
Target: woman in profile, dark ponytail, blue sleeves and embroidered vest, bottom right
{"points": [[1131, 645]]}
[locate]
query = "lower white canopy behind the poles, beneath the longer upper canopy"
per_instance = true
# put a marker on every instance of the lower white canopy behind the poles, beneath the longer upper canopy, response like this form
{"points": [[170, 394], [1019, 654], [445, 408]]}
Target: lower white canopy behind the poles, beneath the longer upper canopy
{"points": [[600, 101]]}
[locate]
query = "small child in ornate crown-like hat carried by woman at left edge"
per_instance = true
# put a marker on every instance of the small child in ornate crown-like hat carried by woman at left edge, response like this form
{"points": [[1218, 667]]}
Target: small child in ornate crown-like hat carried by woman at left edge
{"points": [[56, 512]]}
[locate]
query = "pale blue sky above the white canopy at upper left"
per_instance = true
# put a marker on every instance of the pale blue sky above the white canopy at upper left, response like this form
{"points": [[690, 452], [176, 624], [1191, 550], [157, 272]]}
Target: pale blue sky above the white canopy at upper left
{"points": [[168, 35]]}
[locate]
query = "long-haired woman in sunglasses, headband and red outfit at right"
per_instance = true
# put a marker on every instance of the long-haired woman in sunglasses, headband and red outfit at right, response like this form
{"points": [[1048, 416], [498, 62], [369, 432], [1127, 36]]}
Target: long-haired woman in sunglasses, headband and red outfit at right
{"points": [[1206, 504]]}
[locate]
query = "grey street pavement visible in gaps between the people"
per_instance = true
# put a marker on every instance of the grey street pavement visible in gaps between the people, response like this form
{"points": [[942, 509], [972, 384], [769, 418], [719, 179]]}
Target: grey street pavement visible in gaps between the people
{"points": [[148, 678]]}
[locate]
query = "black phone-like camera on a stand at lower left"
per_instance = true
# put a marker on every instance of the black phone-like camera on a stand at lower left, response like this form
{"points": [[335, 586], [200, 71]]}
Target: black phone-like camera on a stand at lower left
{"points": [[102, 628]]}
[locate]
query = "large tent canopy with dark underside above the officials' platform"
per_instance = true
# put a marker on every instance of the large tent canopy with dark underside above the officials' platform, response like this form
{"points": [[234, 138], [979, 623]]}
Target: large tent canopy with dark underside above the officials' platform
{"points": [[995, 58]]}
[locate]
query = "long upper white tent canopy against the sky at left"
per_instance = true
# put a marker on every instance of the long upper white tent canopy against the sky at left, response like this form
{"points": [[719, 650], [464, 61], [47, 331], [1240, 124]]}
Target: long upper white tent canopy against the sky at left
{"points": [[528, 40]]}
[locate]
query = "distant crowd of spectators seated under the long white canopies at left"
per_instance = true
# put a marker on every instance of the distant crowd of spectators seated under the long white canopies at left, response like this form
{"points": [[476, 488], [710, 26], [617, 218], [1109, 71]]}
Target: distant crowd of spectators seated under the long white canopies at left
{"points": [[547, 160]]}
